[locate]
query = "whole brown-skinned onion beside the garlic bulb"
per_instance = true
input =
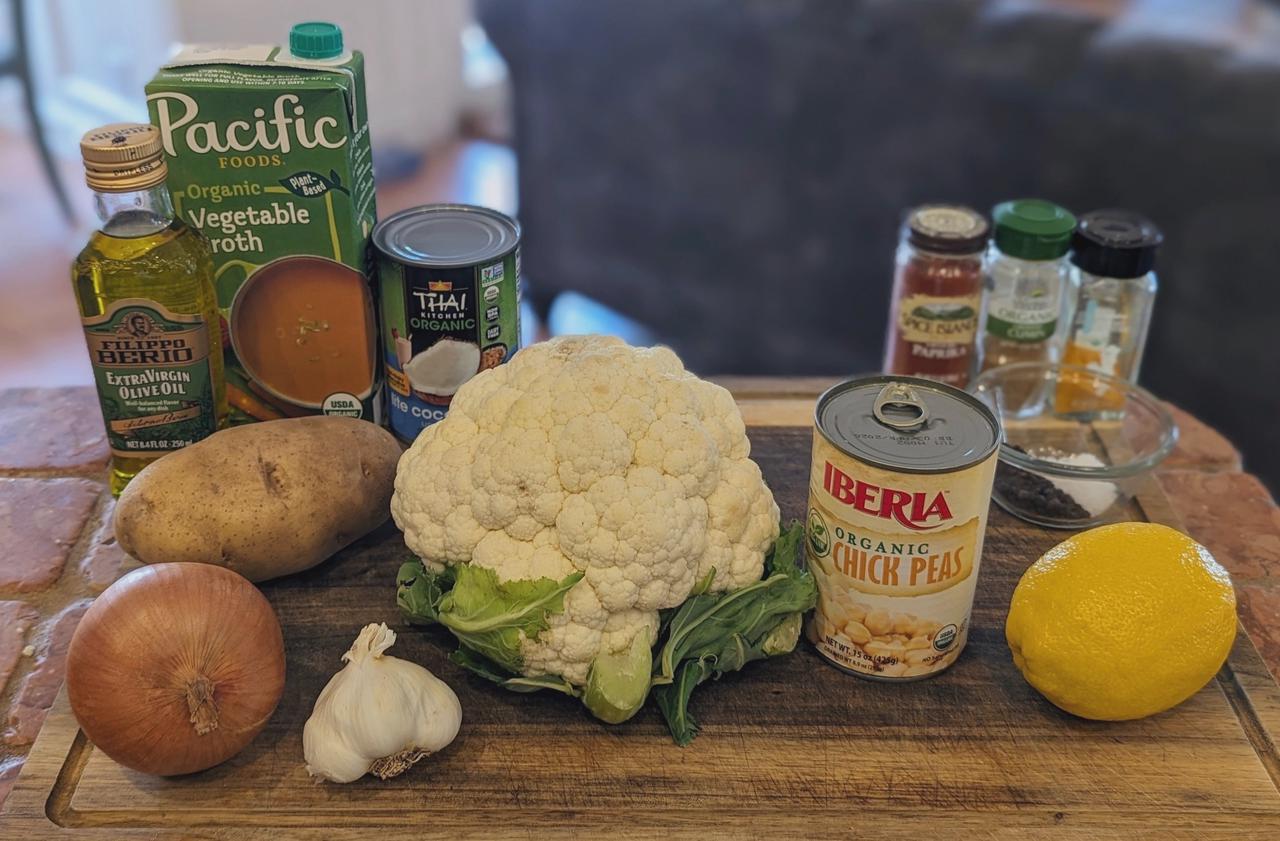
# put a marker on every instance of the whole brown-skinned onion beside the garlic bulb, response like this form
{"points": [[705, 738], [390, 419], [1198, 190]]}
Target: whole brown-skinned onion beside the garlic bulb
{"points": [[176, 668]]}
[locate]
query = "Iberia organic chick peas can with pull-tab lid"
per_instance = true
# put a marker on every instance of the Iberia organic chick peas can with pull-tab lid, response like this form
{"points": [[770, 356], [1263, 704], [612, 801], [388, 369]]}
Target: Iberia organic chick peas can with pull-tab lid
{"points": [[899, 491]]}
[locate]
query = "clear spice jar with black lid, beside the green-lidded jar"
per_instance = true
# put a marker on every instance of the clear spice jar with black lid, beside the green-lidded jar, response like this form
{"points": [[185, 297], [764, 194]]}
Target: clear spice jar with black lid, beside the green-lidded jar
{"points": [[1114, 253]]}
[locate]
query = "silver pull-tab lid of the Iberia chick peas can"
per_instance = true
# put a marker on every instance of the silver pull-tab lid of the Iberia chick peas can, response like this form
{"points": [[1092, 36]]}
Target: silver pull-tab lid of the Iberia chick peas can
{"points": [[908, 424]]}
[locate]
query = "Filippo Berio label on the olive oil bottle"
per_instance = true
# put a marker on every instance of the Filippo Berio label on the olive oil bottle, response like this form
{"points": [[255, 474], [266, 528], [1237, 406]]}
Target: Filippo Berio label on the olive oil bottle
{"points": [[154, 380]]}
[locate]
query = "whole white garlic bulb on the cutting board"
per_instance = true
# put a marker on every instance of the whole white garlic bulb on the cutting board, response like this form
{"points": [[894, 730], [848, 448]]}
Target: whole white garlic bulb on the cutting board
{"points": [[380, 715]]}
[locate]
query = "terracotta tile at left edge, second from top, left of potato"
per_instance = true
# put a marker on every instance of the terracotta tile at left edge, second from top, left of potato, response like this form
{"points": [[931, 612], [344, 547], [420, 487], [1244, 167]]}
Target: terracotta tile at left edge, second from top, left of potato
{"points": [[40, 522]]}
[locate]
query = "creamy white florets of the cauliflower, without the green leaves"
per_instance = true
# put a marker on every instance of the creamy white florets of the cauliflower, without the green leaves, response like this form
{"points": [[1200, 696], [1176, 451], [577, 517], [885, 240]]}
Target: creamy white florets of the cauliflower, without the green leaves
{"points": [[588, 458]]}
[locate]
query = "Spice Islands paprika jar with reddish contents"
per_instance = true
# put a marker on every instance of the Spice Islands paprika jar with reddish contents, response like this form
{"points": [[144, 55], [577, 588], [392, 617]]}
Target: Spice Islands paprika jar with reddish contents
{"points": [[938, 295]]}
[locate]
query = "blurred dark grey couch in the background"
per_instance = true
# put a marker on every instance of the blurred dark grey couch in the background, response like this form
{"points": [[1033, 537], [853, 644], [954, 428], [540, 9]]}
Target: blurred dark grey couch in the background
{"points": [[733, 172]]}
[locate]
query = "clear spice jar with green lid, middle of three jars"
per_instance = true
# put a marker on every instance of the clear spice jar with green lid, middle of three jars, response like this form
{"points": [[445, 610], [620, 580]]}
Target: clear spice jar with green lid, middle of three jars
{"points": [[1027, 273]]}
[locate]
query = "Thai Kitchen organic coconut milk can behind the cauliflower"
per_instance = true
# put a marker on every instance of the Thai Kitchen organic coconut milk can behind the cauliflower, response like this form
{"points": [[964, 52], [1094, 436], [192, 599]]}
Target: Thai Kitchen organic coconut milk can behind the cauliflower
{"points": [[450, 278]]}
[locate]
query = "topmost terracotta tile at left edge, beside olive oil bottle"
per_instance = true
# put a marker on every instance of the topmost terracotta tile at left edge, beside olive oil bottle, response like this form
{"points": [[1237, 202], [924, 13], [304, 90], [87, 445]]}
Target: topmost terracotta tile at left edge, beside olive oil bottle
{"points": [[52, 429]]}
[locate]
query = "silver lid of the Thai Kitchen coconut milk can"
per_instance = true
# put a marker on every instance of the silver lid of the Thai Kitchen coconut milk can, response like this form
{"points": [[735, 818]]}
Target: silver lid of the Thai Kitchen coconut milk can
{"points": [[447, 236]]}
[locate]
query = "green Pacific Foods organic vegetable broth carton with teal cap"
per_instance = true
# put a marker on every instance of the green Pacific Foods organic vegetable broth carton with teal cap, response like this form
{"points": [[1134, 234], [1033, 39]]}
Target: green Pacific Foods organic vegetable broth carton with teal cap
{"points": [[269, 157]]}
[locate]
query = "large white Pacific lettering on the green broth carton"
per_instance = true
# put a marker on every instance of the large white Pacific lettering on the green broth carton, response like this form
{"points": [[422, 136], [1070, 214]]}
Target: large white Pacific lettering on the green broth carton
{"points": [[280, 131]]}
